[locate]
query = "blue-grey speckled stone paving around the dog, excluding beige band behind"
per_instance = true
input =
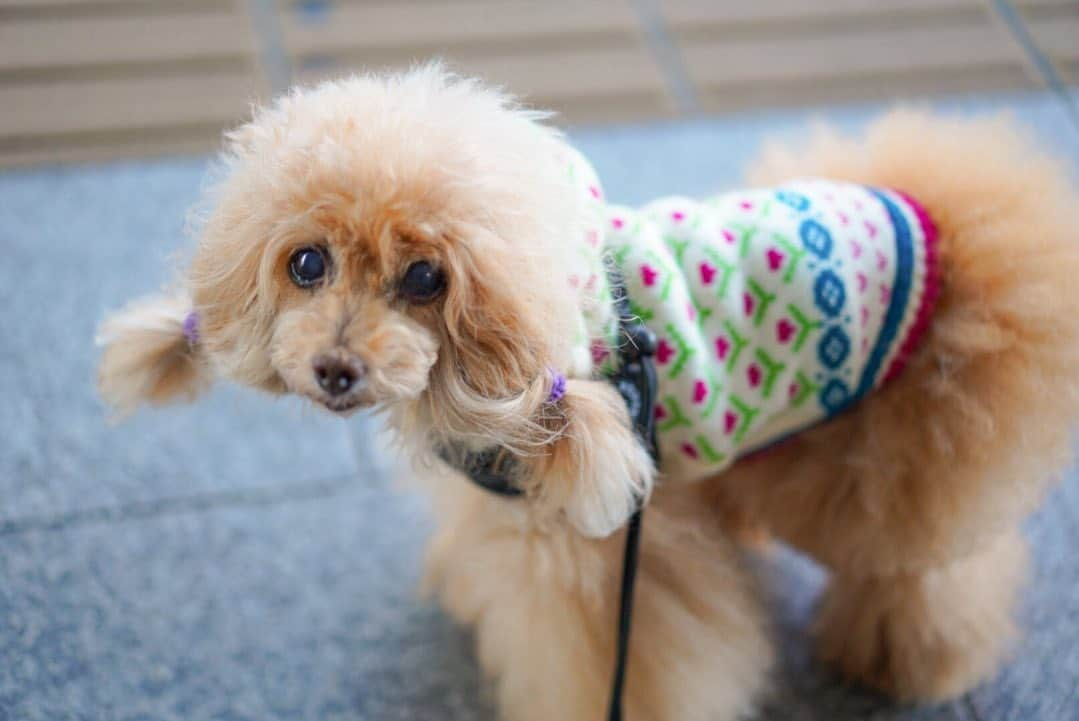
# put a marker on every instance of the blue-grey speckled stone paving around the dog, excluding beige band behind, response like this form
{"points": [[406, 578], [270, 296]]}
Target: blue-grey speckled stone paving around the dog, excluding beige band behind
{"points": [[244, 559]]}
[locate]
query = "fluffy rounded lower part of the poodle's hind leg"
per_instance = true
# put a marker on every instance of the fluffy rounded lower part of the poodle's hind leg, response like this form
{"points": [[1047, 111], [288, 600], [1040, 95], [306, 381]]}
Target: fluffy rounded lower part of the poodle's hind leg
{"points": [[930, 635]]}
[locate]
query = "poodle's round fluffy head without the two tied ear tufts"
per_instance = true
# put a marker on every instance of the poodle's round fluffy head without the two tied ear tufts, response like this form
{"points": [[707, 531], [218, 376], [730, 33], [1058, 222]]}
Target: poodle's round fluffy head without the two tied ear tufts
{"points": [[386, 240]]}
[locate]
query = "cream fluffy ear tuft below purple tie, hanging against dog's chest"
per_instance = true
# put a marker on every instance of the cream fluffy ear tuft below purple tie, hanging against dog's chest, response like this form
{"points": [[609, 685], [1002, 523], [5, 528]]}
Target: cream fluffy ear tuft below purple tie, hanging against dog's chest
{"points": [[597, 471]]}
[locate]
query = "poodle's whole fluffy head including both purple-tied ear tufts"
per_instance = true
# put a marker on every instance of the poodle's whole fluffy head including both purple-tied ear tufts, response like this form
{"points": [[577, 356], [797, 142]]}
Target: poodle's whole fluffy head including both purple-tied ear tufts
{"points": [[404, 242]]}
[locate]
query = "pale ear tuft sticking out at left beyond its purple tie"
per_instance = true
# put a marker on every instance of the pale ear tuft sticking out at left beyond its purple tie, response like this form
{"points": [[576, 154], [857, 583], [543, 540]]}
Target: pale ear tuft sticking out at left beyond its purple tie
{"points": [[149, 357]]}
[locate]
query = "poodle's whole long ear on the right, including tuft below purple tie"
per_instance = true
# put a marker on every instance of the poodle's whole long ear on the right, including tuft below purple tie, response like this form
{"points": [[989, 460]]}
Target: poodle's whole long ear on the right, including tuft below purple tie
{"points": [[582, 458]]}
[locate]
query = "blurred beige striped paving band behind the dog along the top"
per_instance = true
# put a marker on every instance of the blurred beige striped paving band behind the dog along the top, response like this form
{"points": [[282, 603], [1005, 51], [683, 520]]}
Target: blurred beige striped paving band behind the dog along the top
{"points": [[95, 79]]}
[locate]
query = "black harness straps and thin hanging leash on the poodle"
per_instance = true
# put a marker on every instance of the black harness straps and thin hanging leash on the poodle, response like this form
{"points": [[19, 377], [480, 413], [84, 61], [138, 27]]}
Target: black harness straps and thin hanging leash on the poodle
{"points": [[495, 470]]}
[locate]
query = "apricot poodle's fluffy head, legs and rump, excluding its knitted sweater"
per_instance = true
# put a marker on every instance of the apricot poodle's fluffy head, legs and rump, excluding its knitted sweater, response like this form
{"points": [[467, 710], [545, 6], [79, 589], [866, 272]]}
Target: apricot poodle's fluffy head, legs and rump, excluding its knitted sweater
{"points": [[419, 243]]}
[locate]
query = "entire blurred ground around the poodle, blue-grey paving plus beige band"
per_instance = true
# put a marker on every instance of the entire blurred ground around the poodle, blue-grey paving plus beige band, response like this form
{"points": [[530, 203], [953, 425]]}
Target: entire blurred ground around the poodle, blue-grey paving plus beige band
{"points": [[249, 559]]}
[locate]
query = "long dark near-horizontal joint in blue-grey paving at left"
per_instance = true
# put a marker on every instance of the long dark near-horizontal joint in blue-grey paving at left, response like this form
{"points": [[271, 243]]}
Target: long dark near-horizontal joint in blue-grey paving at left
{"points": [[180, 506]]}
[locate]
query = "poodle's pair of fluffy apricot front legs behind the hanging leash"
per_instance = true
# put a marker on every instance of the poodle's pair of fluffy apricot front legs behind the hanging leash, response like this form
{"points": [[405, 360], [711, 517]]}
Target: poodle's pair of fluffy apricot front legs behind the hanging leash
{"points": [[544, 606]]}
